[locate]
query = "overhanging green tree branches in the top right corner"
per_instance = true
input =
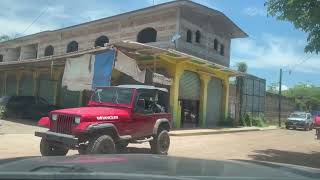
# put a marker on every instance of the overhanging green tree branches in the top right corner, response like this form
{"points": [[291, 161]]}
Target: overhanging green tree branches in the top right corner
{"points": [[303, 14]]}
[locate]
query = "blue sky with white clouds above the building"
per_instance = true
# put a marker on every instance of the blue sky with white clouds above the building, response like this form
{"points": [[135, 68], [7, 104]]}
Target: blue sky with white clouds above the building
{"points": [[271, 44]]}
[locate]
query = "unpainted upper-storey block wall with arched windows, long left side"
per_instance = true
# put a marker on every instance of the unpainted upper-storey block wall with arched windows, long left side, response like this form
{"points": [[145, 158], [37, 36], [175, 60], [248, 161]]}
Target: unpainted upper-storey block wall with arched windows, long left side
{"points": [[121, 28]]}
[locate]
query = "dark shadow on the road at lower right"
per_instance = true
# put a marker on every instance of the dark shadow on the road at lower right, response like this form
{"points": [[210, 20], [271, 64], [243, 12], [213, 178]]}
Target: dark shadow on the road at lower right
{"points": [[288, 157]]}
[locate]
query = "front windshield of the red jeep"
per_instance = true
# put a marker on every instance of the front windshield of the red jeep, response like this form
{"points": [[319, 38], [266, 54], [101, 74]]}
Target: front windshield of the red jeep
{"points": [[112, 95]]}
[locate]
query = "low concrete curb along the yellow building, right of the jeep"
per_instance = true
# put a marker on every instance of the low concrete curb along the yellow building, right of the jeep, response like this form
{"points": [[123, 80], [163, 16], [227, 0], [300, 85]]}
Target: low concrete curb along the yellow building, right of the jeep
{"points": [[219, 132]]}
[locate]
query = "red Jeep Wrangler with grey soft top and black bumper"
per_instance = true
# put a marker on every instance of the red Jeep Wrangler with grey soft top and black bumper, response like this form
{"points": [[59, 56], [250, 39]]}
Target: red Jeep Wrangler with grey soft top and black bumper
{"points": [[115, 116]]}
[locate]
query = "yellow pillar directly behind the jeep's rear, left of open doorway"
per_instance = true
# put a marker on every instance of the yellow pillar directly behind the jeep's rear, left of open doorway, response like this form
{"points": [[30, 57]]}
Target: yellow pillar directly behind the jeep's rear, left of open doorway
{"points": [[174, 97]]}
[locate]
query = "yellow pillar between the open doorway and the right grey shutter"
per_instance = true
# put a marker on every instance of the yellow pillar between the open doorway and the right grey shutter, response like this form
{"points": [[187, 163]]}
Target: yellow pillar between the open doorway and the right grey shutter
{"points": [[204, 78]]}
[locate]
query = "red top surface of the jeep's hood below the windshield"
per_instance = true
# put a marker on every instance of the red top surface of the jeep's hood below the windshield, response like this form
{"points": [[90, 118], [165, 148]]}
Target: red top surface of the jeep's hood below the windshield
{"points": [[94, 111]]}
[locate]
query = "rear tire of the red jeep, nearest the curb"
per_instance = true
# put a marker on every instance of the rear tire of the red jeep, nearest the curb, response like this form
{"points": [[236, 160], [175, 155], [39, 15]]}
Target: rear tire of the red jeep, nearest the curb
{"points": [[161, 143]]}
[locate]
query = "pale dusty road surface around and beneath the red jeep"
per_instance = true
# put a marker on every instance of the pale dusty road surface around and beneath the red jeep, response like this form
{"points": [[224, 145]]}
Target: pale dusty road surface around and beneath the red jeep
{"points": [[284, 146]]}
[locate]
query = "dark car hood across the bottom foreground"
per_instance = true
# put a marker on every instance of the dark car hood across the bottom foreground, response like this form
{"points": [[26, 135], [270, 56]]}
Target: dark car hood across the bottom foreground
{"points": [[136, 166]]}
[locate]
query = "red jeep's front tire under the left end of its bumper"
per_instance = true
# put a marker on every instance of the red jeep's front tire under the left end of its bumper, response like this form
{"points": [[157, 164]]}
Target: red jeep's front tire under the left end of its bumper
{"points": [[48, 149]]}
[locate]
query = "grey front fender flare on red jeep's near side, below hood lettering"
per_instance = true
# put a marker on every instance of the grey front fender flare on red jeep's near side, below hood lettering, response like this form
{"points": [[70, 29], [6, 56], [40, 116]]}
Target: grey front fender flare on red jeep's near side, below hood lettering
{"points": [[103, 128]]}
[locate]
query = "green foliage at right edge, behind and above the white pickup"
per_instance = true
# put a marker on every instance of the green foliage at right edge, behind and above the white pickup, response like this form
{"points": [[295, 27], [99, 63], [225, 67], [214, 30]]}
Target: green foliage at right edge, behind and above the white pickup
{"points": [[307, 97]]}
